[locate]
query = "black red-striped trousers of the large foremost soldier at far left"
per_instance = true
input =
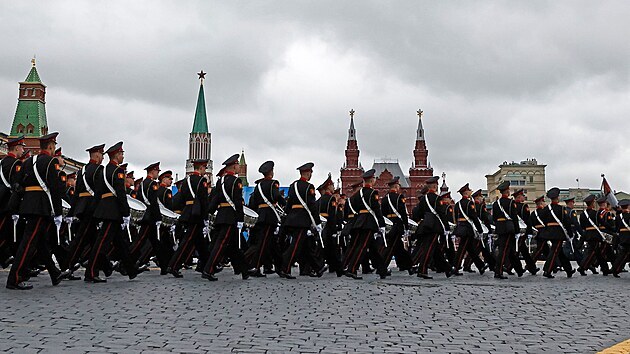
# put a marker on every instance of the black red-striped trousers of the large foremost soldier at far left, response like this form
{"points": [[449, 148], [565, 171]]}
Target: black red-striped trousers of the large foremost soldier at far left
{"points": [[35, 240]]}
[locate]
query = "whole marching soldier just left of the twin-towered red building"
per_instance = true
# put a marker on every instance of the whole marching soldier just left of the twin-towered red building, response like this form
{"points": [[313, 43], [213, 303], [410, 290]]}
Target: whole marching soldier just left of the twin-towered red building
{"points": [[301, 223]]}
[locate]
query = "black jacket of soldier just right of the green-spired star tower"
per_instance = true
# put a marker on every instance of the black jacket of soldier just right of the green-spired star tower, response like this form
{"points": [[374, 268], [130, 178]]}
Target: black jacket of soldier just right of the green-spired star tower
{"points": [[226, 215]]}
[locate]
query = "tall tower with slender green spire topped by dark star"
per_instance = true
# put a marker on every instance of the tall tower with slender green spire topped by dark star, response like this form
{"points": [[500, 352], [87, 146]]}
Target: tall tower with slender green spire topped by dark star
{"points": [[200, 140]]}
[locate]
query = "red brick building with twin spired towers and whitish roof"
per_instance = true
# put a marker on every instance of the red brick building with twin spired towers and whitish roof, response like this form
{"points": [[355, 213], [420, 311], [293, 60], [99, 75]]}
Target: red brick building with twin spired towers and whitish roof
{"points": [[387, 169]]}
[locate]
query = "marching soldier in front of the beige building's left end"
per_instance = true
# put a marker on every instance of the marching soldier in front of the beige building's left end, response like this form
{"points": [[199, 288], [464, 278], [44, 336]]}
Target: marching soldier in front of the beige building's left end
{"points": [[505, 216]]}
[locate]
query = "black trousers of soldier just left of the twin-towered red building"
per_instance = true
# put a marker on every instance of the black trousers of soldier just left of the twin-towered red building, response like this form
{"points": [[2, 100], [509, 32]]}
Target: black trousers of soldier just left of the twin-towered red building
{"points": [[302, 248]]}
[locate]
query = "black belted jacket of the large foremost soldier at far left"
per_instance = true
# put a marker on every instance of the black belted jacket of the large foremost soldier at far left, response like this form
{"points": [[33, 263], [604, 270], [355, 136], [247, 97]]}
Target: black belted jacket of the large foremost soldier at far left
{"points": [[36, 202]]}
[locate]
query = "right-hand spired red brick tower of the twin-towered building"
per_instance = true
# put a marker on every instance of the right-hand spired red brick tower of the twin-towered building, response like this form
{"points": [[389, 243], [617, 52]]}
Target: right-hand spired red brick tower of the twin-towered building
{"points": [[421, 168]]}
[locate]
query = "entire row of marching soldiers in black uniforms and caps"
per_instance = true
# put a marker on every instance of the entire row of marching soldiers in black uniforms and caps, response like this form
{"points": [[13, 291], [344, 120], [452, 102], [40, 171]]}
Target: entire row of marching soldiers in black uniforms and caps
{"points": [[333, 232]]}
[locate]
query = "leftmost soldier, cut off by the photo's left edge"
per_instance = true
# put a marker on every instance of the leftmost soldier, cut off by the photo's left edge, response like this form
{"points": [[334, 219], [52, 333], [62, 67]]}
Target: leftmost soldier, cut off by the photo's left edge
{"points": [[10, 169]]}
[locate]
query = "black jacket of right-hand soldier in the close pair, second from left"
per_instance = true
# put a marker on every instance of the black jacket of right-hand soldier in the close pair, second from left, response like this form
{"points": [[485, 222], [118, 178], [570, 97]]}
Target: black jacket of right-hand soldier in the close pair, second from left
{"points": [[110, 207]]}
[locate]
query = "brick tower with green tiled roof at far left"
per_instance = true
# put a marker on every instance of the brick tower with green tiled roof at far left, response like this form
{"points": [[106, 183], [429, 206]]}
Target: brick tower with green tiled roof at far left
{"points": [[30, 114]]}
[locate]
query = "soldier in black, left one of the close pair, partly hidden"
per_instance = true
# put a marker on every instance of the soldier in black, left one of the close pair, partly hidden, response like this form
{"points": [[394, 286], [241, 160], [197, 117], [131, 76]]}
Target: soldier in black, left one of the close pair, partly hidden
{"points": [[83, 208]]}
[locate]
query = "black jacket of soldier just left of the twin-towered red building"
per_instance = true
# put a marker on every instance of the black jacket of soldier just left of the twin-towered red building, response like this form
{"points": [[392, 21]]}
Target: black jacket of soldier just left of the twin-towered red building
{"points": [[297, 216]]}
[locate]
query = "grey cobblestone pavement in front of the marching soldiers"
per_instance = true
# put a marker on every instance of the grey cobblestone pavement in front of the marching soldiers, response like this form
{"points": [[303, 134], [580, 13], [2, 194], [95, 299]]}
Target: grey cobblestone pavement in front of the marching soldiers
{"points": [[468, 314]]}
